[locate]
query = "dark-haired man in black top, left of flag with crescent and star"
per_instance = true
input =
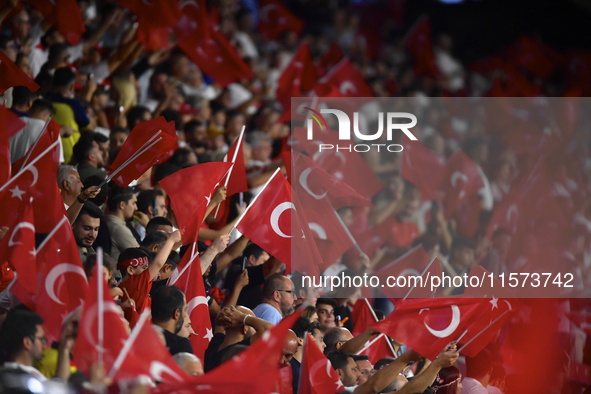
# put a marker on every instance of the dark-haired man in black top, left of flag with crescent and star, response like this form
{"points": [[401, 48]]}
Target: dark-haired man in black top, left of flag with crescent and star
{"points": [[169, 307]]}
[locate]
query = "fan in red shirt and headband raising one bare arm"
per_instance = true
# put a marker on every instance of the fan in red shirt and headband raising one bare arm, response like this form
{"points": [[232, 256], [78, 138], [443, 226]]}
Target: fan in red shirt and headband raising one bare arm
{"points": [[138, 272]]}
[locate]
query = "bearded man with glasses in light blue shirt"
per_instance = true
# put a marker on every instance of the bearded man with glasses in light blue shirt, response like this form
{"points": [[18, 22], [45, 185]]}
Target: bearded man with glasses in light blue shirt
{"points": [[278, 299]]}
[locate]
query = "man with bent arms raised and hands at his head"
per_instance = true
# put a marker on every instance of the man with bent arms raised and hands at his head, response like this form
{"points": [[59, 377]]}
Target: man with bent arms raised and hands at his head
{"points": [[234, 326]]}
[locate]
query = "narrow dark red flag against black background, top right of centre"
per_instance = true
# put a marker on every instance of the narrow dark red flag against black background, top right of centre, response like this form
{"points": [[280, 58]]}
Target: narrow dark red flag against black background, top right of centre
{"points": [[418, 43]]}
